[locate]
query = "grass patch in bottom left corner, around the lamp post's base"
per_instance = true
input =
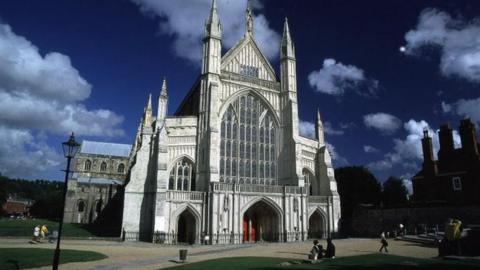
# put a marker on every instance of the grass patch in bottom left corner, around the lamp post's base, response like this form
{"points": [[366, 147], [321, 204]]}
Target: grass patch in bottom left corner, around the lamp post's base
{"points": [[10, 258]]}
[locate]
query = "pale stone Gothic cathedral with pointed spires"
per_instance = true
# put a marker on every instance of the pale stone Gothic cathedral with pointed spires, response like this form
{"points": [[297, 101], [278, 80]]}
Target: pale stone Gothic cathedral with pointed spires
{"points": [[230, 165]]}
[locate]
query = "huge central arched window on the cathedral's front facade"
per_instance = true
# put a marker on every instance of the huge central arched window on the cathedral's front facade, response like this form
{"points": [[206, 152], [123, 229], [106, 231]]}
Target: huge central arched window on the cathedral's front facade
{"points": [[248, 149]]}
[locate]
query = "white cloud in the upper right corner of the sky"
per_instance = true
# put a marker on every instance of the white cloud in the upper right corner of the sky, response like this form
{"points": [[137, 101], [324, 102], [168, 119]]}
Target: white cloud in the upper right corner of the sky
{"points": [[457, 40]]}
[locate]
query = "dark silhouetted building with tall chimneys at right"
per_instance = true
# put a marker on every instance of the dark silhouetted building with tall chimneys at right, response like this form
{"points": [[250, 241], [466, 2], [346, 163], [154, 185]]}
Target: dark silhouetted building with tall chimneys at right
{"points": [[455, 177]]}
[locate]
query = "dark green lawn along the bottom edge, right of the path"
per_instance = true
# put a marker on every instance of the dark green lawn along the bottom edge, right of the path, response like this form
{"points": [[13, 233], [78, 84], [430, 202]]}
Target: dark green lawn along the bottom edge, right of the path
{"points": [[363, 262]]}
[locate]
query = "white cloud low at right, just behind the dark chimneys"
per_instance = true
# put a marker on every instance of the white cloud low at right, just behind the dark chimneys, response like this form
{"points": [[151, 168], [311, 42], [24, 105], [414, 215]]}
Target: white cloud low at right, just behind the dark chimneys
{"points": [[408, 152]]}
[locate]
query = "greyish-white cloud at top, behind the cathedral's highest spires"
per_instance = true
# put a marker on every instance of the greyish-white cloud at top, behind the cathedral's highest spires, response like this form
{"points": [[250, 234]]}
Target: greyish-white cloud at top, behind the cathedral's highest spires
{"points": [[185, 20]]}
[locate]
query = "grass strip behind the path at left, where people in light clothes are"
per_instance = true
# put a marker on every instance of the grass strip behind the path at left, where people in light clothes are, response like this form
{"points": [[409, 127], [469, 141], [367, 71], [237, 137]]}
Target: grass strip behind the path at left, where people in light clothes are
{"points": [[20, 227]]}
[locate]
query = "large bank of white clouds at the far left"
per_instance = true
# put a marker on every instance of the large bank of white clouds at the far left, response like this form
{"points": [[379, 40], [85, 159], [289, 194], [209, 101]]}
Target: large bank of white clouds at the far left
{"points": [[41, 95]]}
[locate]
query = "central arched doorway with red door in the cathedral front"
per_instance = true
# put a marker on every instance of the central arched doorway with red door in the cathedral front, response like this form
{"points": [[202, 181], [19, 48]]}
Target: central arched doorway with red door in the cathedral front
{"points": [[261, 223]]}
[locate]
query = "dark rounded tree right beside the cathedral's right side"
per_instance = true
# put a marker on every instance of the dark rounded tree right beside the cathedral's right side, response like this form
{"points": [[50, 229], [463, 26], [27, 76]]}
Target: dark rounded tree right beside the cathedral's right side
{"points": [[356, 185]]}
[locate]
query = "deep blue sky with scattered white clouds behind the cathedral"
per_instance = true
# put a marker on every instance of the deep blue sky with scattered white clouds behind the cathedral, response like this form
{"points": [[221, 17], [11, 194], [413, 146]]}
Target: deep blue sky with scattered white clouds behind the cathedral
{"points": [[379, 71]]}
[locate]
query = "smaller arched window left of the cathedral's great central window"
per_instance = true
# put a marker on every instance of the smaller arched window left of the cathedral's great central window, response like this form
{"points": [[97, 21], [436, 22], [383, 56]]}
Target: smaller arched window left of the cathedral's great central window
{"points": [[182, 176]]}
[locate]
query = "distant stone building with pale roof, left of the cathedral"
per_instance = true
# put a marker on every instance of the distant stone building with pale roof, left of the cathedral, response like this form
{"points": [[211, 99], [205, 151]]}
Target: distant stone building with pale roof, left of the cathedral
{"points": [[100, 170]]}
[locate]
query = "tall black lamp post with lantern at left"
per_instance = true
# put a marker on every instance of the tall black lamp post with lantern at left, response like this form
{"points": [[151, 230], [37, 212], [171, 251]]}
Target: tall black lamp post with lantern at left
{"points": [[70, 148]]}
